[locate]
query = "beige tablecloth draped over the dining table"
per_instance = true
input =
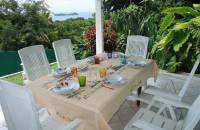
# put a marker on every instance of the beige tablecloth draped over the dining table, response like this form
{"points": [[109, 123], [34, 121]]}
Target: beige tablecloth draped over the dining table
{"points": [[95, 106]]}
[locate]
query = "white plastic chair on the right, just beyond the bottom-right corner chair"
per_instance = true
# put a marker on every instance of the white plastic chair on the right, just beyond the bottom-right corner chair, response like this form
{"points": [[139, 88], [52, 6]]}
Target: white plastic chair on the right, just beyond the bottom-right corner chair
{"points": [[155, 91]]}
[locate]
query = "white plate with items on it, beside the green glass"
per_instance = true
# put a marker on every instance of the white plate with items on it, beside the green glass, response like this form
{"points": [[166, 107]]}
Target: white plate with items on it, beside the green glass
{"points": [[72, 87]]}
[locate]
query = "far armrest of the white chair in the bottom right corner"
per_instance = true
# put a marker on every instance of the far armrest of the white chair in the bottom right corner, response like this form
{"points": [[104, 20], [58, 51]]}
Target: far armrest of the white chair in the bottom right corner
{"points": [[171, 102]]}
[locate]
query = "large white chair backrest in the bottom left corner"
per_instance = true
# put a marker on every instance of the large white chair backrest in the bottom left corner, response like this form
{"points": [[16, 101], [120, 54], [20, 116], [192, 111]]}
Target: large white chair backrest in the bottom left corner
{"points": [[18, 107]]}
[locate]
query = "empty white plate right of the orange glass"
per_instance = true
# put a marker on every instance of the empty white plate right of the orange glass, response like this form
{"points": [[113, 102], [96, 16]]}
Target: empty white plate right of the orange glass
{"points": [[115, 79]]}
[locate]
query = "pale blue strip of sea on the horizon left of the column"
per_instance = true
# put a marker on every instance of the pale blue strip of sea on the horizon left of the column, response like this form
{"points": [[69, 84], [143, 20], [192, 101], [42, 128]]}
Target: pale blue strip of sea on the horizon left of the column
{"points": [[84, 15]]}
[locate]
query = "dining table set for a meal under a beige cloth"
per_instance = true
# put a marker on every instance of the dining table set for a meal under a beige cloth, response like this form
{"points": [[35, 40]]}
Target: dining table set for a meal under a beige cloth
{"points": [[97, 102]]}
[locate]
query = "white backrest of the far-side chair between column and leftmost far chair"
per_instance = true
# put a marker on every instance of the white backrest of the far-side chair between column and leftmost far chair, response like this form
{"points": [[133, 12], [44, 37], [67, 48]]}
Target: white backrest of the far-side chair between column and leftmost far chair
{"points": [[64, 53]]}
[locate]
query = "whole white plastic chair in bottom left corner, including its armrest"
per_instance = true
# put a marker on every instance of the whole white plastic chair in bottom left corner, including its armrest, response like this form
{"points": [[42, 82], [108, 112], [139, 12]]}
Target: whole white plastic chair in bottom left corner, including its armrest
{"points": [[20, 112]]}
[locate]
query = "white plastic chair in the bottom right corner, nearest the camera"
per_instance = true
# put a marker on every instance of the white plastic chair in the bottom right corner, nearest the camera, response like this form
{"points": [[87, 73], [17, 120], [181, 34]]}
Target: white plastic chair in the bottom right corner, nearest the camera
{"points": [[145, 119]]}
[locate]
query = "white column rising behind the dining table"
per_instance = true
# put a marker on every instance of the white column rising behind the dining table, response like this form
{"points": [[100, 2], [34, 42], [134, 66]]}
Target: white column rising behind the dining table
{"points": [[99, 27]]}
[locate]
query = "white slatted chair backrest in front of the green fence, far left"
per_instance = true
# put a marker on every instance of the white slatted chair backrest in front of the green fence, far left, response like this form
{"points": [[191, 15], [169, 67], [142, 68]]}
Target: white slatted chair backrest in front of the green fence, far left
{"points": [[35, 63]]}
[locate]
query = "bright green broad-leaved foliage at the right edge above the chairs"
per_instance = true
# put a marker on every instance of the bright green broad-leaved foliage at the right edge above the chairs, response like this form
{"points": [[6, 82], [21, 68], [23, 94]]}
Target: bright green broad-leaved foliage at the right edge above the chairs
{"points": [[179, 42]]}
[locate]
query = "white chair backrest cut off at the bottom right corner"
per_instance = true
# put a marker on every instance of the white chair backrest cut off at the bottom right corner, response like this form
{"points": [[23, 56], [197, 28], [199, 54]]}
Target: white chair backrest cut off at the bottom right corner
{"points": [[193, 115]]}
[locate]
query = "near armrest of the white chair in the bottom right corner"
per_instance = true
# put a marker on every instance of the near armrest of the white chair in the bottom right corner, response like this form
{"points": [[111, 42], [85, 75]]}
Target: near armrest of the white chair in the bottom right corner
{"points": [[145, 125]]}
